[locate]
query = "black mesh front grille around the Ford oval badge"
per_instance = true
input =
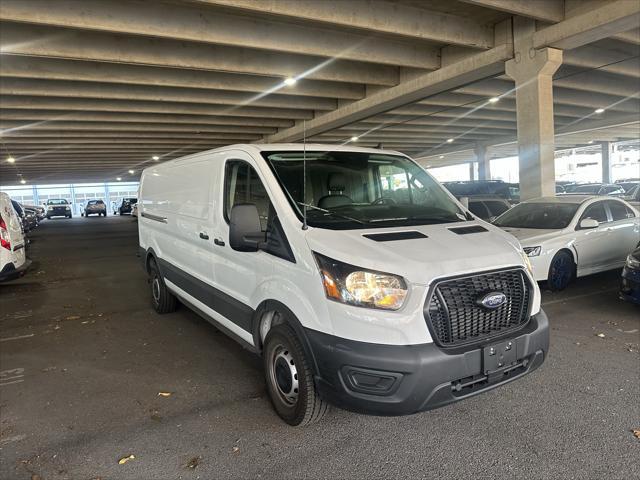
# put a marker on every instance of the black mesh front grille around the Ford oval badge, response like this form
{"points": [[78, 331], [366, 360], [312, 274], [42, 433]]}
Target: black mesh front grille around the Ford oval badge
{"points": [[455, 315]]}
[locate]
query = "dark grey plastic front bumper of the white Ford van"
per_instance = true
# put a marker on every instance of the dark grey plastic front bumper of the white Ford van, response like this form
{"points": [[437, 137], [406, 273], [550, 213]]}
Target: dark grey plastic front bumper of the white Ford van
{"points": [[404, 379]]}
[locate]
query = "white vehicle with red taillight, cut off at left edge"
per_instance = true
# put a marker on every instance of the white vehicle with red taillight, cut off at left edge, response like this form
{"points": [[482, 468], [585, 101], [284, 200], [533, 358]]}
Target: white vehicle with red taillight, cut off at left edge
{"points": [[13, 259]]}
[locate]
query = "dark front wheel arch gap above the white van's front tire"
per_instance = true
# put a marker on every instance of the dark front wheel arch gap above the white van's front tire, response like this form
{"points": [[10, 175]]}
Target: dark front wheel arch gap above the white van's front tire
{"points": [[278, 313]]}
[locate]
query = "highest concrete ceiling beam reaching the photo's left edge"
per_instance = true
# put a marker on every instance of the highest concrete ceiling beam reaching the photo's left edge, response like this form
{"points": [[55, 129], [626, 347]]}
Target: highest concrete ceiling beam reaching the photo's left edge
{"points": [[204, 26]]}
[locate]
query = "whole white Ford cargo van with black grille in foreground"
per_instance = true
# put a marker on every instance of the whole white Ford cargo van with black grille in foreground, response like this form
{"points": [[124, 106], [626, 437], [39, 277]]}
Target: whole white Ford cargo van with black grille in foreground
{"points": [[358, 278]]}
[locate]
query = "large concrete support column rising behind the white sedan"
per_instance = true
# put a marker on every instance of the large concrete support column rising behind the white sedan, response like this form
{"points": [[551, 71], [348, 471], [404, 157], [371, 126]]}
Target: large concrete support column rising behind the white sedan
{"points": [[532, 70]]}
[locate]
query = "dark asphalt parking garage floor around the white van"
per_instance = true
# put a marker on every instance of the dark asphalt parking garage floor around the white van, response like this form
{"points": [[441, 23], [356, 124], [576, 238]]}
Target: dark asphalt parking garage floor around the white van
{"points": [[83, 358]]}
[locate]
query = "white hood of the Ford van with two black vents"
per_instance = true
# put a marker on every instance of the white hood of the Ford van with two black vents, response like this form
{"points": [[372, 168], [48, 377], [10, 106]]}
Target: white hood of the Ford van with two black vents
{"points": [[441, 252]]}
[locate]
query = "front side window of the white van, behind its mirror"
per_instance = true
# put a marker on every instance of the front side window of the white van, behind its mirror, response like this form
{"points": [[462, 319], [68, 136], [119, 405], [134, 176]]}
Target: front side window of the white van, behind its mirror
{"points": [[242, 185]]}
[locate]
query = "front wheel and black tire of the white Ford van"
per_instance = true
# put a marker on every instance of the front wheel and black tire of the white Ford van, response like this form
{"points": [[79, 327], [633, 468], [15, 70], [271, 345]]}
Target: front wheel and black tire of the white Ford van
{"points": [[285, 363]]}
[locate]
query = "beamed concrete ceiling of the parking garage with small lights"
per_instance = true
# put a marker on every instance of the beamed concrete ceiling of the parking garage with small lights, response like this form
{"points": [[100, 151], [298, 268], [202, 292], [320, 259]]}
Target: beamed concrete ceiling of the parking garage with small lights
{"points": [[90, 89]]}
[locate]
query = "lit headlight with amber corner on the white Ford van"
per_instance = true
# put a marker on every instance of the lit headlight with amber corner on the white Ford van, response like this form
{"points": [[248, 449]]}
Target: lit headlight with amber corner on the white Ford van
{"points": [[359, 287]]}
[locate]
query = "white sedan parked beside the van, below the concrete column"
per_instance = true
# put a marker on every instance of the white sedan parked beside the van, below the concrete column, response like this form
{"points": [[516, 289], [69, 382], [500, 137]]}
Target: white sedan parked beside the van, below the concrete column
{"points": [[574, 235]]}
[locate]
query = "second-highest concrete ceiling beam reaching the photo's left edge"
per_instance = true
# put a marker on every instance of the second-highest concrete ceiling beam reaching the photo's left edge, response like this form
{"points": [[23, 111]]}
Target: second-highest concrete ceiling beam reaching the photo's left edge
{"points": [[55, 42]]}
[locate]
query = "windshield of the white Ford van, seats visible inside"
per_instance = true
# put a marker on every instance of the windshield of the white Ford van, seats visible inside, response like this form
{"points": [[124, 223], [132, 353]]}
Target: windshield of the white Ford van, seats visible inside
{"points": [[347, 190]]}
